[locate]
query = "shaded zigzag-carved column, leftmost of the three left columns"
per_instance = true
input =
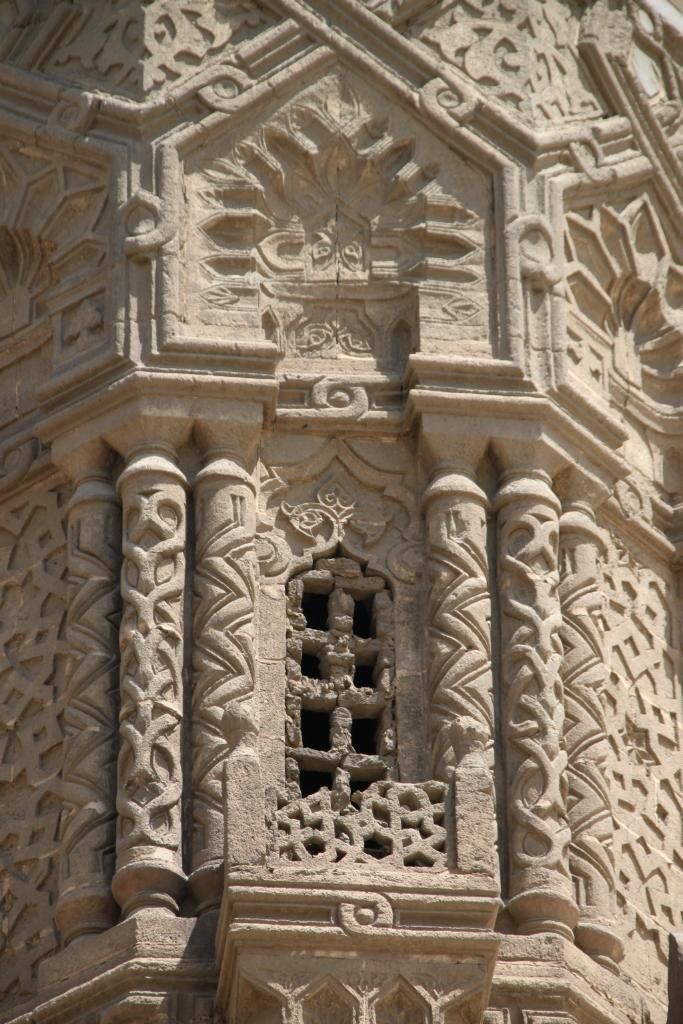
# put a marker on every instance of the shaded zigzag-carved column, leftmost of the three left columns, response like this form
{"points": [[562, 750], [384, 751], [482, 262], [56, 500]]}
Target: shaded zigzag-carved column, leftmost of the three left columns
{"points": [[89, 833]]}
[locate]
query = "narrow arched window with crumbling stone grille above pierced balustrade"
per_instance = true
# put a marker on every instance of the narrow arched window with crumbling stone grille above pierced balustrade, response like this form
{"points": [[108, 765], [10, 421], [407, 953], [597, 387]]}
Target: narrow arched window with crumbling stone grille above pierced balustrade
{"points": [[340, 681]]}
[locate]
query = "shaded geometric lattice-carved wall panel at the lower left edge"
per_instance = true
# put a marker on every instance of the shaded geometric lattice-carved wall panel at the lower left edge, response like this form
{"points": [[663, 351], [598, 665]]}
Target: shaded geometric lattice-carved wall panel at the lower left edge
{"points": [[33, 567]]}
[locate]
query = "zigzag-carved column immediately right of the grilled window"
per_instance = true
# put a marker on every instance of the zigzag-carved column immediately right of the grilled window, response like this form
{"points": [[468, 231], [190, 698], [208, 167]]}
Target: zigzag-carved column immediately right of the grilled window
{"points": [[459, 616]]}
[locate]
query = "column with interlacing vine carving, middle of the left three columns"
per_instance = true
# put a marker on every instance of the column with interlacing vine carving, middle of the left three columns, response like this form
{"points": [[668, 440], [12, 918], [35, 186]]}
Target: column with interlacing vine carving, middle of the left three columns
{"points": [[150, 777]]}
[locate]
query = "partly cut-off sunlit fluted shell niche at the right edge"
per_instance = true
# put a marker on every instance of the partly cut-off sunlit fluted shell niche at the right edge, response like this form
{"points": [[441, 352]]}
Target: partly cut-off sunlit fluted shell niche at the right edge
{"points": [[625, 280]]}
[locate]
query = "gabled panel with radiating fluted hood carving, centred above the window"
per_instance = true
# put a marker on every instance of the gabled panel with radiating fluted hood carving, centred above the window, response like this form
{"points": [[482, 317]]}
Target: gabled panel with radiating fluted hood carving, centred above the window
{"points": [[324, 226]]}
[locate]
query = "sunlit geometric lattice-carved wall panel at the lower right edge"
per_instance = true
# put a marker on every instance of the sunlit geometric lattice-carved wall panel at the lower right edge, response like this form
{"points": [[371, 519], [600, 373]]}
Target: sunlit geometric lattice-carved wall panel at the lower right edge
{"points": [[643, 713]]}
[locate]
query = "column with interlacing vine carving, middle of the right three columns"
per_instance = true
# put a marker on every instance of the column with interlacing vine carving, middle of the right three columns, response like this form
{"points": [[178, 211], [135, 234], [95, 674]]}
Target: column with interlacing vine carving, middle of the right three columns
{"points": [[533, 705]]}
